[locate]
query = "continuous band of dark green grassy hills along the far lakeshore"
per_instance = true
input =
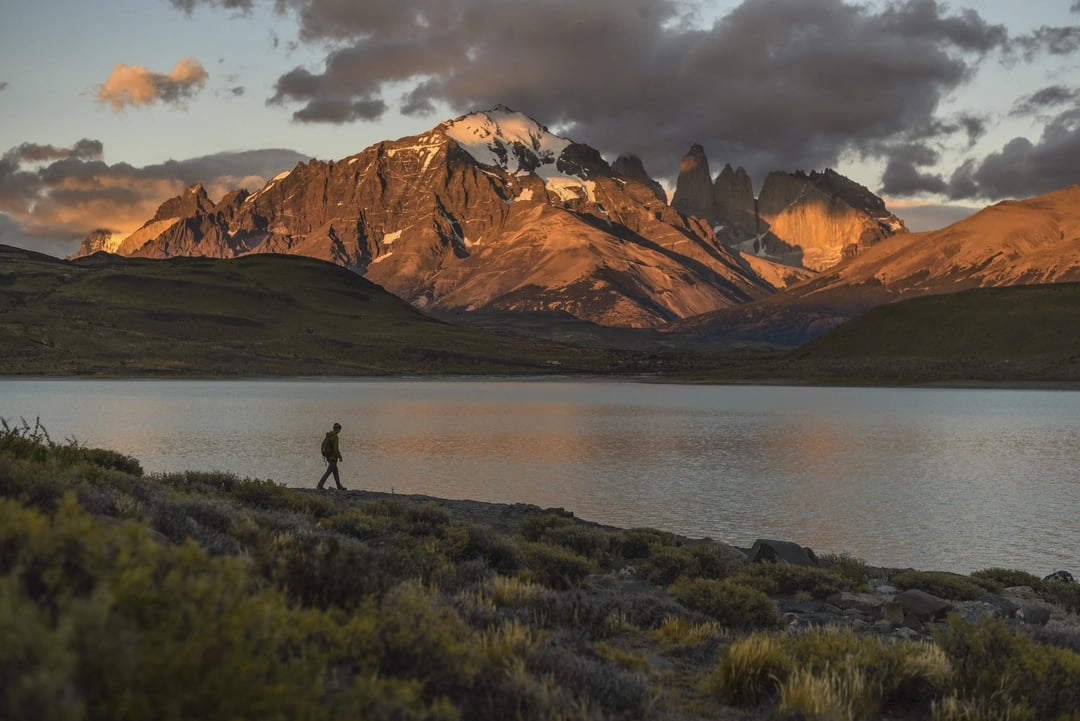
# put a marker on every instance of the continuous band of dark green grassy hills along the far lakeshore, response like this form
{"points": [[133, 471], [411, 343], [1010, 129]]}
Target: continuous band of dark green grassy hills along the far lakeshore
{"points": [[291, 316]]}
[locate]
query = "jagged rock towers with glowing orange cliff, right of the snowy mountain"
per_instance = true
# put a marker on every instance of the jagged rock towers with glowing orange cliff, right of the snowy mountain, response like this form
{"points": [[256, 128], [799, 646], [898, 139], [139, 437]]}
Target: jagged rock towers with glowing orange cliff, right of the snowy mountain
{"points": [[811, 222]]}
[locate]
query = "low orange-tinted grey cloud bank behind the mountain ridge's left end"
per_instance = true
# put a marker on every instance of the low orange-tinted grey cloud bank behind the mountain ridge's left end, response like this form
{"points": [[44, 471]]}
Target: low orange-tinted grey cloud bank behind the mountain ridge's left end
{"points": [[53, 198]]}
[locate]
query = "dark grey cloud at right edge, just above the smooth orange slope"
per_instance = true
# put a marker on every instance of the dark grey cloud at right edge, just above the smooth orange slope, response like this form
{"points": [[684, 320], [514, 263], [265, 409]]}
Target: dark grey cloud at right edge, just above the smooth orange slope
{"points": [[1023, 169]]}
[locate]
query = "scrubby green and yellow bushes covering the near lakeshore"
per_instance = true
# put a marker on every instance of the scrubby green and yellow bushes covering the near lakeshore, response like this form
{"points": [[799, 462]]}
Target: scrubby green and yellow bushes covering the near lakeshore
{"points": [[208, 596]]}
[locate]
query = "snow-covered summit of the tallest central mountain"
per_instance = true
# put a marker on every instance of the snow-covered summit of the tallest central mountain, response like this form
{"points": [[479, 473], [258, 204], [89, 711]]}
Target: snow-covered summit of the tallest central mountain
{"points": [[502, 138]]}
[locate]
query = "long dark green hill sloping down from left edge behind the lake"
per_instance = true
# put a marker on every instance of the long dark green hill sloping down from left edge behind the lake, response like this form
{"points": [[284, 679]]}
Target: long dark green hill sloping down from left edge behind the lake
{"points": [[255, 316]]}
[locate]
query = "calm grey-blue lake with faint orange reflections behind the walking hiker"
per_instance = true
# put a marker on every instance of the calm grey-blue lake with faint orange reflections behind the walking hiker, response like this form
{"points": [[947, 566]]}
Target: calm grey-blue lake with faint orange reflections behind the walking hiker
{"points": [[950, 480]]}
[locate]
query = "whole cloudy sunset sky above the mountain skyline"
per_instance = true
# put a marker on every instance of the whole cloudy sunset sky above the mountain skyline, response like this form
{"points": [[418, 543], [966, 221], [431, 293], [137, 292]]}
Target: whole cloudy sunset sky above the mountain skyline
{"points": [[109, 110]]}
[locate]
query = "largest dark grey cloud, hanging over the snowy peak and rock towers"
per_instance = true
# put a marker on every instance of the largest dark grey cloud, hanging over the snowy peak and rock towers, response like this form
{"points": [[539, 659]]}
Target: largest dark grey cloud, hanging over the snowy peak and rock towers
{"points": [[771, 85]]}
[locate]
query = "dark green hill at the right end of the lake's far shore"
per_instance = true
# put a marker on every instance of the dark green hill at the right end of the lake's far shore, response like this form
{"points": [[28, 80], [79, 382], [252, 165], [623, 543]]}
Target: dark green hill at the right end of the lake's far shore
{"points": [[1022, 333]]}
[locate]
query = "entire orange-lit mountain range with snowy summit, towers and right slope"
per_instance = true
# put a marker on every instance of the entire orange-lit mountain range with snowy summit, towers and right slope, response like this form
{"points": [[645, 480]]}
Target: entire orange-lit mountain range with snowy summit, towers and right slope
{"points": [[491, 215]]}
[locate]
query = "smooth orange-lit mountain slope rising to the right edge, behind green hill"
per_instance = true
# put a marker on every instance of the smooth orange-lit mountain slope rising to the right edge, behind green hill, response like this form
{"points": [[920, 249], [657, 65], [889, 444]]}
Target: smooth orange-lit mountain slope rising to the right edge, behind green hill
{"points": [[1011, 243]]}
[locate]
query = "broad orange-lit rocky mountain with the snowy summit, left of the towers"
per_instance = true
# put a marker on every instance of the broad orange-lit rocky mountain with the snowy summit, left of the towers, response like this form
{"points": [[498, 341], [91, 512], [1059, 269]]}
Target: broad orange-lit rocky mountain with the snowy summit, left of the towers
{"points": [[487, 212]]}
